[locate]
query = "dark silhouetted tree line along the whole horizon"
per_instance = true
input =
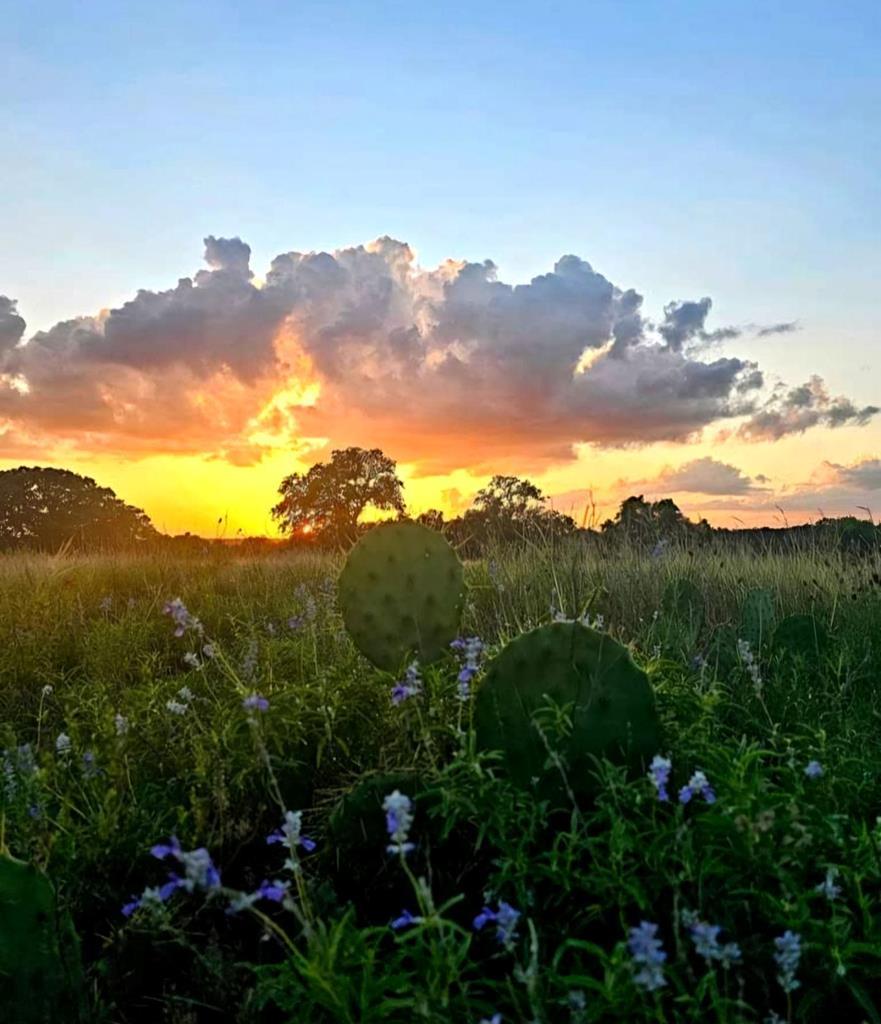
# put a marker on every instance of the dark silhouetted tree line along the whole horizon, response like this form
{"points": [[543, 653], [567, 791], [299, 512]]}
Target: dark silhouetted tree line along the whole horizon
{"points": [[52, 509]]}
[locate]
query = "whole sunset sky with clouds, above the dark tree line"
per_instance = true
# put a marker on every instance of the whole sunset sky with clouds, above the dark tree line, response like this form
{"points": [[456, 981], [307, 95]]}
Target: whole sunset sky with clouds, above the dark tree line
{"points": [[615, 248]]}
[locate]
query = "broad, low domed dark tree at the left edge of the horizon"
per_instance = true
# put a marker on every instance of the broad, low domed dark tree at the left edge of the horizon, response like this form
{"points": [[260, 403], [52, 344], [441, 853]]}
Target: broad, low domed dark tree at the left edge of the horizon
{"points": [[45, 509]]}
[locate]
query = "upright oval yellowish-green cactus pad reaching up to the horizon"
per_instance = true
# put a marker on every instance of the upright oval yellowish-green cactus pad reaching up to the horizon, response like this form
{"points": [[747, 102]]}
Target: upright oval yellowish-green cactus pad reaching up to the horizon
{"points": [[402, 593]]}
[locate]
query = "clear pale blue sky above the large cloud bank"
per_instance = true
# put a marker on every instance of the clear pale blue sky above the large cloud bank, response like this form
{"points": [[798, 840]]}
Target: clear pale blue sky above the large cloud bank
{"points": [[730, 150]]}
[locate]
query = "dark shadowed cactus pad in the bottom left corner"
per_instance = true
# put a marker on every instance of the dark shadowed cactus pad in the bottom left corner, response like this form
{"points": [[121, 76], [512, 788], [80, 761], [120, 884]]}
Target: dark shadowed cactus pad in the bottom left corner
{"points": [[39, 956]]}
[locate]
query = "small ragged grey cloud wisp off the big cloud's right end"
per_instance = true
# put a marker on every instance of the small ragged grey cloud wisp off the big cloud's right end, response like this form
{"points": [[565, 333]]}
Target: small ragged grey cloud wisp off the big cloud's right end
{"points": [[795, 411]]}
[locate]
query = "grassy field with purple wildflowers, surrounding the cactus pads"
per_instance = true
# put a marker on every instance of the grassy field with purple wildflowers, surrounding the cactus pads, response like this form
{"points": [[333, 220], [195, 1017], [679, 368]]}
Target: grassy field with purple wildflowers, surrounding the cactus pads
{"points": [[119, 735]]}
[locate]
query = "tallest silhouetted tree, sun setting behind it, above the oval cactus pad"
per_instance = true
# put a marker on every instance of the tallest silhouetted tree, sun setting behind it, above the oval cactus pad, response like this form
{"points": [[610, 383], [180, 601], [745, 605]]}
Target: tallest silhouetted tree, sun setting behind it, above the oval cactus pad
{"points": [[330, 498]]}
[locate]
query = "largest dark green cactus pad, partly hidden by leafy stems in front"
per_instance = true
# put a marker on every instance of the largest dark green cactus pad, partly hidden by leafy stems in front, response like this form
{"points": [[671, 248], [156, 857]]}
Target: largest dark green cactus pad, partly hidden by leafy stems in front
{"points": [[614, 707]]}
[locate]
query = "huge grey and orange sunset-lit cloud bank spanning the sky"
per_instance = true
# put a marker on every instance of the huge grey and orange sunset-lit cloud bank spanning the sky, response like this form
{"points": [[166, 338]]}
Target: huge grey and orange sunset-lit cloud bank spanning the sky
{"points": [[443, 368]]}
